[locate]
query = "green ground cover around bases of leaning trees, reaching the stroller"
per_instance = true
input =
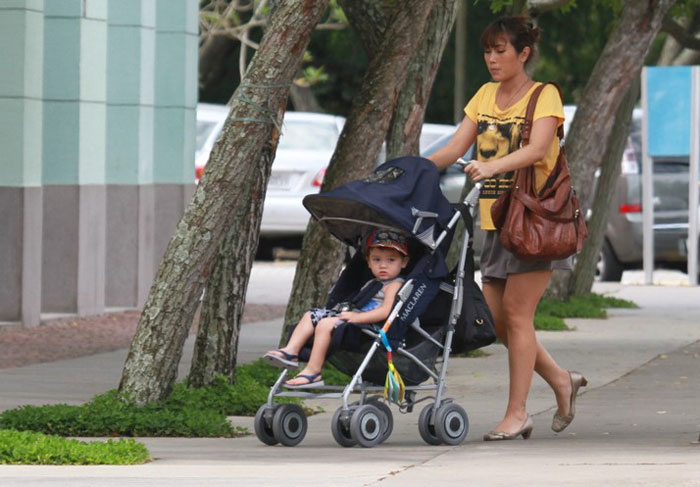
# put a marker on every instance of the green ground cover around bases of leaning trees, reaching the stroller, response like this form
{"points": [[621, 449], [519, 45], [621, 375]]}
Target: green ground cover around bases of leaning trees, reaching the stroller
{"points": [[187, 412]]}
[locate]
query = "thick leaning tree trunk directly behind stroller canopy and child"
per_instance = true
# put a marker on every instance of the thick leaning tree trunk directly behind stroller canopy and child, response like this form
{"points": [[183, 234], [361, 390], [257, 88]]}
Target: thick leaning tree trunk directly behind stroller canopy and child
{"points": [[358, 147]]}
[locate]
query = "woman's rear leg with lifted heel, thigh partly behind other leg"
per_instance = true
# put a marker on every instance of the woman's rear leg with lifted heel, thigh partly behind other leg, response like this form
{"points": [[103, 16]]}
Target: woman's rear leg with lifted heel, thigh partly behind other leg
{"points": [[557, 377]]}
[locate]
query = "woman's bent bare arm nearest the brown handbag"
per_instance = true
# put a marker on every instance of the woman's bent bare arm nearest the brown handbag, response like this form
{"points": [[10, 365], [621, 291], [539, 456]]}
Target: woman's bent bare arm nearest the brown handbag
{"points": [[543, 130]]}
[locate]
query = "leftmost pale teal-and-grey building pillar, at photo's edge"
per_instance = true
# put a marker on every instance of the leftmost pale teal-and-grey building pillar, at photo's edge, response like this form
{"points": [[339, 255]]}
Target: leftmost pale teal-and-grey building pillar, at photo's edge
{"points": [[21, 35]]}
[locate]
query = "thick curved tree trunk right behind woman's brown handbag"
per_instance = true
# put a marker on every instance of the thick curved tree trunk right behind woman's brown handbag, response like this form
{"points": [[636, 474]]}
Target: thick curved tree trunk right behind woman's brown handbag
{"points": [[588, 138]]}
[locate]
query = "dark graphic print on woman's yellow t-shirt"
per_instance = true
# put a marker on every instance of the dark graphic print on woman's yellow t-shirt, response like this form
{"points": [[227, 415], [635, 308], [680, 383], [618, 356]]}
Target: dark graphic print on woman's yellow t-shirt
{"points": [[495, 138]]}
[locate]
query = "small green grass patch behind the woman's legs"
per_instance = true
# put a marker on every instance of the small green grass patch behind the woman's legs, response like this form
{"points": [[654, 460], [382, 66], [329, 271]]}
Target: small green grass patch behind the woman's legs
{"points": [[550, 312]]}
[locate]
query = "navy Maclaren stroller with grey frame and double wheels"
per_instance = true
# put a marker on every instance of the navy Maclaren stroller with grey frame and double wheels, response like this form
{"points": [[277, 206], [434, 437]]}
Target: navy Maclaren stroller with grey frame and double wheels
{"points": [[435, 312]]}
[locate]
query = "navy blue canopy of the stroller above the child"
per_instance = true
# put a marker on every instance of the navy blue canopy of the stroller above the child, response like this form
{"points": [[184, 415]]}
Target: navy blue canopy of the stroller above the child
{"points": [[403, 194]]}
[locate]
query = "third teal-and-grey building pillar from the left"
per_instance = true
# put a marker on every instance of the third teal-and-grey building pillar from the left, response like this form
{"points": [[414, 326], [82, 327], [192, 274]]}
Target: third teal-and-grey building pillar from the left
{"points": [[130, 85]]}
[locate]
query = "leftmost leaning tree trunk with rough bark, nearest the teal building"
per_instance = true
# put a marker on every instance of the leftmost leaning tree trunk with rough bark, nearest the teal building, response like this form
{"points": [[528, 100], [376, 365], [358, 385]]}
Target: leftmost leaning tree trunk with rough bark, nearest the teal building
{"points": [[236, 175]]}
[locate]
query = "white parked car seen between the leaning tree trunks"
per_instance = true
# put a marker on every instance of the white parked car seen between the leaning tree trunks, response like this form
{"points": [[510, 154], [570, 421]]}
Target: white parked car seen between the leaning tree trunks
{"points": [[303, 153]]}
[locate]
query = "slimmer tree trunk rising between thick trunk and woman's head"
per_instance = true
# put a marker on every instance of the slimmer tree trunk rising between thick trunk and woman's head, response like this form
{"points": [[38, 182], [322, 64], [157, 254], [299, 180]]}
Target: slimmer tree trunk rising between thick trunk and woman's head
{"points": [[407, 122]]}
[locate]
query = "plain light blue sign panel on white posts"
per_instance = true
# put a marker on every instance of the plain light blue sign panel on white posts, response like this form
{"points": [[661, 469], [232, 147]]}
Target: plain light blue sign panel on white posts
{"points": [[668, 102]]}
